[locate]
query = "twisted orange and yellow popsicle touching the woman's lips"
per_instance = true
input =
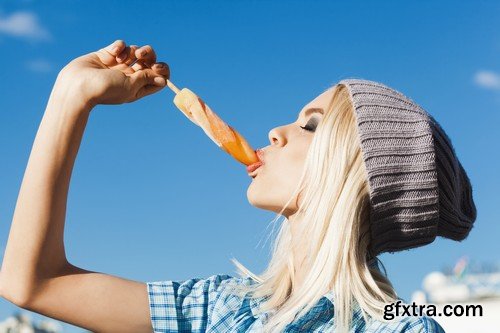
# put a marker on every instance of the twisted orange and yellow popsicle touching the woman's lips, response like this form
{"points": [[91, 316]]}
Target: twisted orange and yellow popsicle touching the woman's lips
{"points": [[223, 135]]}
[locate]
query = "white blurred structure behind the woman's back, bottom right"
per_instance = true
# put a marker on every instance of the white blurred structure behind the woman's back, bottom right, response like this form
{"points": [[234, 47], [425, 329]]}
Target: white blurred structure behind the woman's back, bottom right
{"points": [[464, 286]]}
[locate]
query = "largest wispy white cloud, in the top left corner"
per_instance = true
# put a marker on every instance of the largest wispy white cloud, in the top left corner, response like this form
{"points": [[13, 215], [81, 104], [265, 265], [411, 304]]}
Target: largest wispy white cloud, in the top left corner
{"points": [[23, 24]]}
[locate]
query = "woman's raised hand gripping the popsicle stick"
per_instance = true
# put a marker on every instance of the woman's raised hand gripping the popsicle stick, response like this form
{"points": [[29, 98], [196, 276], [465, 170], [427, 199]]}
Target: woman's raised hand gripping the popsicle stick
{"points": [[104, 76]]}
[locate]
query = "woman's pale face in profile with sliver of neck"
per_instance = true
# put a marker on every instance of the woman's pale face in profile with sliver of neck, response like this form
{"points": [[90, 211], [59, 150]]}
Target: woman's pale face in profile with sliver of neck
{"points": [[283, 164]]}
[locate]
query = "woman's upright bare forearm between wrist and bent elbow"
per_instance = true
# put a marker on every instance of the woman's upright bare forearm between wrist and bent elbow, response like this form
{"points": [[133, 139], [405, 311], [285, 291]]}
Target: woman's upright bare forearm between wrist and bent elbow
{"points": [[35, 248]]}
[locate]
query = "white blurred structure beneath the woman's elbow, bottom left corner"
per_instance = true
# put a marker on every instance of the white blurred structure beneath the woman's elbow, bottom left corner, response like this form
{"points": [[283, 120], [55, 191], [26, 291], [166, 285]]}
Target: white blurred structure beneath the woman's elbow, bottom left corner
{"points": [[21, 323]]}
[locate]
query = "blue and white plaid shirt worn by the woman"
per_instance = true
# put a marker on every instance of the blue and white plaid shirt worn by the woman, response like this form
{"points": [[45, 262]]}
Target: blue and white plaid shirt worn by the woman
{"points": [[205, 305]]}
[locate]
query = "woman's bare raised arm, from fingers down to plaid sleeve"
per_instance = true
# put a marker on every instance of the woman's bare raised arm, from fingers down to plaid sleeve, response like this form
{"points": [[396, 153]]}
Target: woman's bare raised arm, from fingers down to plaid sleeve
{"points": [[35, 273]]}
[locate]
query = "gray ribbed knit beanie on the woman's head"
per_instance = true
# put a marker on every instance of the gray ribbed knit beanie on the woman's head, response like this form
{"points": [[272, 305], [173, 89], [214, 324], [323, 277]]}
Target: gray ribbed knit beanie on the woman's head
{"points": [[418, 188]]}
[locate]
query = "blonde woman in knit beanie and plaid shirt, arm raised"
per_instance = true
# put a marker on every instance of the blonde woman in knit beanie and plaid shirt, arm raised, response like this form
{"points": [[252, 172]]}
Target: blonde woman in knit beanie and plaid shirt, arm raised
{"points": [[362, 171]]}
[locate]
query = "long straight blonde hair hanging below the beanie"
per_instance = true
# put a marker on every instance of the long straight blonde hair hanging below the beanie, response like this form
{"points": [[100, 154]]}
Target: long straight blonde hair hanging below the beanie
{"points": [[334, 219]]}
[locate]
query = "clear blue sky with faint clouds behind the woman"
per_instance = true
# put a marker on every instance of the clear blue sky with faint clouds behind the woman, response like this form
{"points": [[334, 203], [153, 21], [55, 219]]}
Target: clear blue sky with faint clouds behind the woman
{"points": [[152, 198]]}
